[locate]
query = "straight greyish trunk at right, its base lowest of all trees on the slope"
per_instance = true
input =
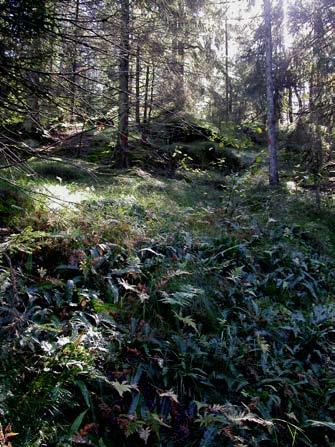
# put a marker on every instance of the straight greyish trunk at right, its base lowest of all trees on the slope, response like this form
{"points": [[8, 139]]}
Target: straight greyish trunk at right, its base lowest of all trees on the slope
{"points": [[272, 134]]}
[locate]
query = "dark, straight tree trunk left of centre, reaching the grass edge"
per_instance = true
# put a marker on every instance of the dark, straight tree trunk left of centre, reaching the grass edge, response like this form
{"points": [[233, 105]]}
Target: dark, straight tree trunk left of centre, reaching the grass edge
{"points": [[124, 83]]}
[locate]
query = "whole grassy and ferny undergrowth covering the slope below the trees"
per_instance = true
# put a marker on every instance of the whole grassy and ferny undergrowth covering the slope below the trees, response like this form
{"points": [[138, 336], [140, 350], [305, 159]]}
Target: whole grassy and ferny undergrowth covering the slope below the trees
{"points": [[168, 312]]}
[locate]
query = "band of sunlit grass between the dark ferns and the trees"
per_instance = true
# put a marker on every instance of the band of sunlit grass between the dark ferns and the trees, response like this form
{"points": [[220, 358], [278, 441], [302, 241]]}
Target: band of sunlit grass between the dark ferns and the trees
{"points": [[125, 207]]}
